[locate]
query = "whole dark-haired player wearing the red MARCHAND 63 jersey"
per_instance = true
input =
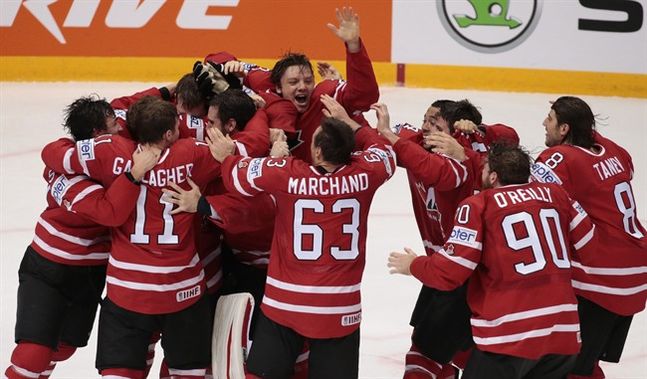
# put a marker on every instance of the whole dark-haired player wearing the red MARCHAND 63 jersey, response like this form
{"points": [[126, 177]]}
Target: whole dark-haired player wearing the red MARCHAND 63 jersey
{"points": [[312, 291]]}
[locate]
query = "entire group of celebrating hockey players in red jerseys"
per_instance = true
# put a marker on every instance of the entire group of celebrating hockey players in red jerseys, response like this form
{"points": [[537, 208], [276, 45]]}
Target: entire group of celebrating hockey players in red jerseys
{"points": [[232, 208]]}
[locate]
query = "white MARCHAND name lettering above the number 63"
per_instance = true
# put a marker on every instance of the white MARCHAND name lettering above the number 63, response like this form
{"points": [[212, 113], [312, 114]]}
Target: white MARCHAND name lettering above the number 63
{"points": [[328, 185]]}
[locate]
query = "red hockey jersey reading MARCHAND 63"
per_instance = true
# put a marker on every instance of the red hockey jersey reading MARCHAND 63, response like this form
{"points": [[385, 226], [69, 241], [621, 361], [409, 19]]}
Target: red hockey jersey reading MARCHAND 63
{"points": [[318, 250]]}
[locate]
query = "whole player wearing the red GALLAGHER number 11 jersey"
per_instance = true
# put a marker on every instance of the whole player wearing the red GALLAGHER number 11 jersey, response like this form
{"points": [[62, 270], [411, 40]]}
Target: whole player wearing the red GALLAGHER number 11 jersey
{"points": [[155, 279]]}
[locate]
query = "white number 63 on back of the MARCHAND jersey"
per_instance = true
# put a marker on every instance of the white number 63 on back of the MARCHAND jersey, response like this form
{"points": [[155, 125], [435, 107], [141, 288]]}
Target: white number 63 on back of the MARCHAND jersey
{"points": [[317, 234]]}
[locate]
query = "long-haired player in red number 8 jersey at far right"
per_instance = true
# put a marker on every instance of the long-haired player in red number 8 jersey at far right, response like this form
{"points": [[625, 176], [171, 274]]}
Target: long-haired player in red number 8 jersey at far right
{"points": [[611, 284]]}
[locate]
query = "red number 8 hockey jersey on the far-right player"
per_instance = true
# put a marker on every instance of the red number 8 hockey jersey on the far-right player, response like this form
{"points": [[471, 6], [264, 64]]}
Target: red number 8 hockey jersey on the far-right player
{"points": [[615, 277]]}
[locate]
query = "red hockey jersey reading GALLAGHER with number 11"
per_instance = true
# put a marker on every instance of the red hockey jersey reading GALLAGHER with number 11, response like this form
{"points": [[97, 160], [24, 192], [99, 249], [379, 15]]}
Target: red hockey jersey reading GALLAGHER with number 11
{"points": [[153, 266]]}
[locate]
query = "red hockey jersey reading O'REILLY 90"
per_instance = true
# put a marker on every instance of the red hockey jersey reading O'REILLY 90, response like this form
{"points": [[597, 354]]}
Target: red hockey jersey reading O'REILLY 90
{"points": [[513, 241]]}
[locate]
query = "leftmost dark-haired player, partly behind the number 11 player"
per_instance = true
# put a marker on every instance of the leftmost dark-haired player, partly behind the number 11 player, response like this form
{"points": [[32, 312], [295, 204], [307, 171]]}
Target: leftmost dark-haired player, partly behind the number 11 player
{"points": [[63, 271]]}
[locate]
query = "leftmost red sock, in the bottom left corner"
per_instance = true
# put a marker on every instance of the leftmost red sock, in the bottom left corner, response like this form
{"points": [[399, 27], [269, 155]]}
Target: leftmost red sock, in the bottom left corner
{"points": [[28, 360]]}
